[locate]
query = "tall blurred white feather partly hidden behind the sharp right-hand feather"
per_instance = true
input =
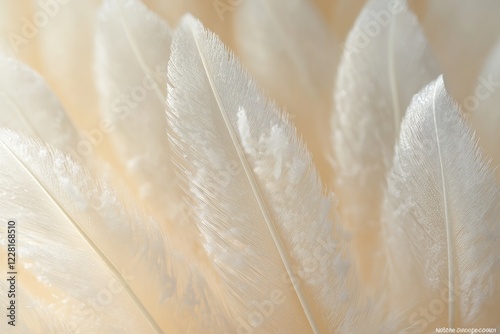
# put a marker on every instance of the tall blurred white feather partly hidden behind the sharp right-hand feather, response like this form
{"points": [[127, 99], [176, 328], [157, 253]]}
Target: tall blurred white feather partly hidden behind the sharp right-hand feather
{"points": [[378, 75]]}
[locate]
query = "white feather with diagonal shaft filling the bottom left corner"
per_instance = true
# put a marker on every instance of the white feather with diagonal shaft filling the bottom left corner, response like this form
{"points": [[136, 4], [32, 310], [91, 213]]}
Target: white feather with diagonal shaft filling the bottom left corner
{"points": [[104, 266]]}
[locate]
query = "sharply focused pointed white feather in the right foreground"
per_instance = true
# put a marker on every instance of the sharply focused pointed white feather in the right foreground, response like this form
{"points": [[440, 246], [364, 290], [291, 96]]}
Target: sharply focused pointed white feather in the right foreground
{"points": [[441, 216]]}
